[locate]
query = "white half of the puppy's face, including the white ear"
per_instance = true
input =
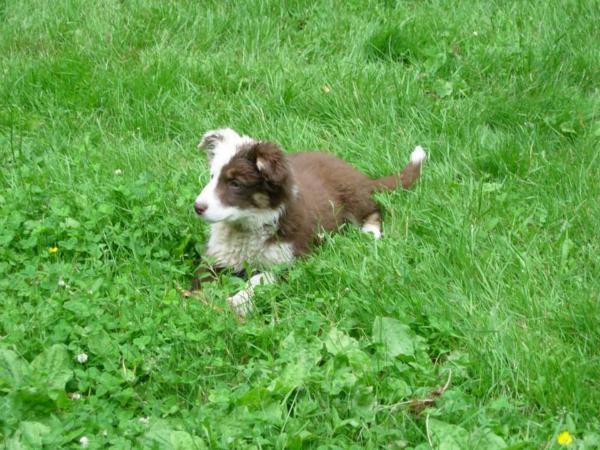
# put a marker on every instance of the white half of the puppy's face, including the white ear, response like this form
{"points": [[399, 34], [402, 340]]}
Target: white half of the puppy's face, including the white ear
{"points": [[227, 143]]}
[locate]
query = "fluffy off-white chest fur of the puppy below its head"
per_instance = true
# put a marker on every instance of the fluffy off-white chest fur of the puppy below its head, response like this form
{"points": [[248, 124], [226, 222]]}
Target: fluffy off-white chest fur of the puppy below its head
{"points": [[234, 248]]}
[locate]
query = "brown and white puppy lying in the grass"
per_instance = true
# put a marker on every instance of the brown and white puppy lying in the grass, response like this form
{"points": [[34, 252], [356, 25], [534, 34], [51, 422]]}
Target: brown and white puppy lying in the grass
{"points": [[266, 207]]}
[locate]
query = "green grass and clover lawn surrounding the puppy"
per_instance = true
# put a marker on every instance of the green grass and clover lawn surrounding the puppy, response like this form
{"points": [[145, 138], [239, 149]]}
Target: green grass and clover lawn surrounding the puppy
{"points": [[489, 269]]}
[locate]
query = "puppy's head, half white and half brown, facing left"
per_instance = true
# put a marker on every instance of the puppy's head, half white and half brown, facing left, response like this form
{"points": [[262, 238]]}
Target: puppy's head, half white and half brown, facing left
{"points": [[250, 180]]}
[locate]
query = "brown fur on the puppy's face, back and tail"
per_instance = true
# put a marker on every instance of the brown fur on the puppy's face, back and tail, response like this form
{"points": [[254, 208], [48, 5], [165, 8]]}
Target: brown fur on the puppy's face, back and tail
{"points": [[329, 191]]}
